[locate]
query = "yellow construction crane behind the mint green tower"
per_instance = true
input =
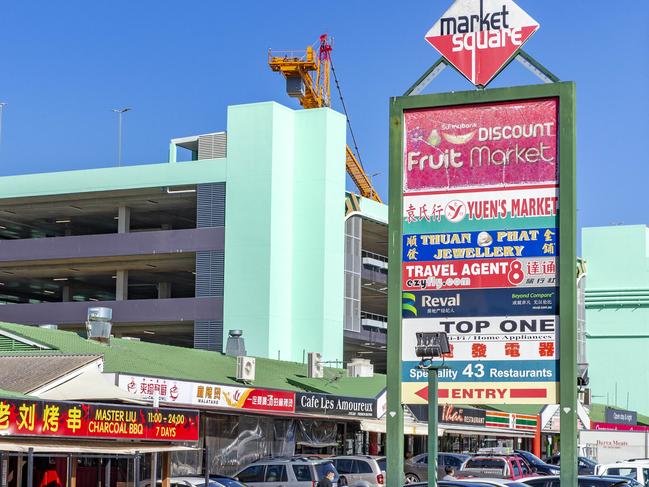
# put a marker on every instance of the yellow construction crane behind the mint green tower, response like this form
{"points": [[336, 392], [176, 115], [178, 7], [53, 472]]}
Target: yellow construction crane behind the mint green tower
{"points": [[307, 79]]}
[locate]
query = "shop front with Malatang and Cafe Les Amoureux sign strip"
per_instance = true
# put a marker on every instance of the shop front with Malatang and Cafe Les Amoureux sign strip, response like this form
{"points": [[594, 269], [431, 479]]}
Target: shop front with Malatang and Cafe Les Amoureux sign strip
{"points": [[242, 424]]}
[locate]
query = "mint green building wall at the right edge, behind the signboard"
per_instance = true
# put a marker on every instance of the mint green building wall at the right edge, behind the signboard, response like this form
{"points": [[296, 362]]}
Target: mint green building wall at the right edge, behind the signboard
{"points": [[617, 313]]}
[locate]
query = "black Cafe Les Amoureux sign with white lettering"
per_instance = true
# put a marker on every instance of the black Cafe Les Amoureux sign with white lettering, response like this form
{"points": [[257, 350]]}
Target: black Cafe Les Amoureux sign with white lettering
{"points": [[335, 405]]}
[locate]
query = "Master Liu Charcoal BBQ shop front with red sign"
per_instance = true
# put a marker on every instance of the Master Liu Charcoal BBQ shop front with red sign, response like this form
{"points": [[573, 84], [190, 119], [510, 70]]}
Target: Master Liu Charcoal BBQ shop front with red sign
{"points": [[76, 444]]}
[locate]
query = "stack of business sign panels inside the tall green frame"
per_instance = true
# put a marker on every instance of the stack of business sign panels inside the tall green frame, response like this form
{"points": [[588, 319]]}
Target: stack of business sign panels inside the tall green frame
{"points": [[480, 248]]}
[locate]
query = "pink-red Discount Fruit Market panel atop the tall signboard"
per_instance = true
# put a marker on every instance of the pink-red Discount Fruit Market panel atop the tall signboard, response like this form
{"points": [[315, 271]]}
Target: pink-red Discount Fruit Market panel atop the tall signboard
{"points": [[509, 143]]}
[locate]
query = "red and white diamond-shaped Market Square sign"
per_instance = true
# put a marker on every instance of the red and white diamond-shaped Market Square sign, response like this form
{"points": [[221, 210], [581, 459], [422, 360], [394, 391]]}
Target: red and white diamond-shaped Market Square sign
{"points": [[479, 37]]}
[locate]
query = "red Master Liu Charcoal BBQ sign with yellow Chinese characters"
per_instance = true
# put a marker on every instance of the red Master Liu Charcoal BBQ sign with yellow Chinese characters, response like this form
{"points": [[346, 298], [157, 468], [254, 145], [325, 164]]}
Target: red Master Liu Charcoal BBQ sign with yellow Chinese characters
{"points": [[98, 421]]}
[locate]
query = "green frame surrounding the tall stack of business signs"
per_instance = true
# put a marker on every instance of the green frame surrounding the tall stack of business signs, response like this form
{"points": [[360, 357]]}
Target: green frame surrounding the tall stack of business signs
{"points": [[565, 92]]}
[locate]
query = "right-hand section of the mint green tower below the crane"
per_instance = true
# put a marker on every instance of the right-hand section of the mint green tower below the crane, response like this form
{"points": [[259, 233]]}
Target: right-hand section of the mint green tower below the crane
{"points": [[319, 229]]}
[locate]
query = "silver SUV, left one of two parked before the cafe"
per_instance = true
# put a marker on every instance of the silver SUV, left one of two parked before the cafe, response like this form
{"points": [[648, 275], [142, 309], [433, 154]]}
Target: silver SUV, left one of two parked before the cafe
{"points": [[286, 472]]}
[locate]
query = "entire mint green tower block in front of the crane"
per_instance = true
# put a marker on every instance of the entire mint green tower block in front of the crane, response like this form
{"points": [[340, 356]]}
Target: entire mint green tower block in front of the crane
{"points": [[285, 230]]}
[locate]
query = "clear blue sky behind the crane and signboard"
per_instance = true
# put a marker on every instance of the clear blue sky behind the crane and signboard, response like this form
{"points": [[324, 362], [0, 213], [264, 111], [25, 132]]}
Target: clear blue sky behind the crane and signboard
{"points": [[179, 65]]}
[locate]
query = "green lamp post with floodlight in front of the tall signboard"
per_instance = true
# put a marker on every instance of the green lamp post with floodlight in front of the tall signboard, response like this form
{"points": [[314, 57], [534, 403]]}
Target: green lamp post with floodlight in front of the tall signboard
{"points": [[429, 346]]}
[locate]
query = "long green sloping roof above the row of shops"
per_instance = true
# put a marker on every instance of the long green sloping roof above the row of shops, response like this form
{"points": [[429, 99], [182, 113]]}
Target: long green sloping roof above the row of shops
{"points": [[143, 358]]}
